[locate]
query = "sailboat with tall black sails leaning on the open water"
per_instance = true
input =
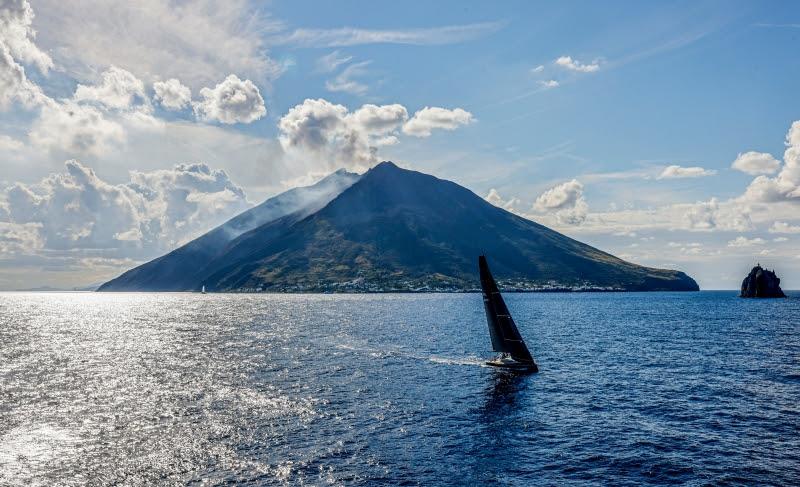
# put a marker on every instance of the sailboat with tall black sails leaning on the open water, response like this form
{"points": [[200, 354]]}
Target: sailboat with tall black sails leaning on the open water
{"points": [[502, 330]]}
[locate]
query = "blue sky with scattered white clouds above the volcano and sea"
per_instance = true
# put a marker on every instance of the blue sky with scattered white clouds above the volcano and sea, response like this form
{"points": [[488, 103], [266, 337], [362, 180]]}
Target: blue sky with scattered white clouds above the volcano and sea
{"points": [[665, 133]]}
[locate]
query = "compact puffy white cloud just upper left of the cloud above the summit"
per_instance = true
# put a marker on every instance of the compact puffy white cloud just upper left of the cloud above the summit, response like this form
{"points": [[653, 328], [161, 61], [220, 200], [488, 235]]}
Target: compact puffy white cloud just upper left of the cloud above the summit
{"points": [[231, 101]]}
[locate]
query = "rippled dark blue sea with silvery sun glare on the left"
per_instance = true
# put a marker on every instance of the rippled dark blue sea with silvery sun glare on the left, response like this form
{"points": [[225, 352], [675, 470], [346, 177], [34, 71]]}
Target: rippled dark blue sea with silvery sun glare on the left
{"points": [[142, 389]]}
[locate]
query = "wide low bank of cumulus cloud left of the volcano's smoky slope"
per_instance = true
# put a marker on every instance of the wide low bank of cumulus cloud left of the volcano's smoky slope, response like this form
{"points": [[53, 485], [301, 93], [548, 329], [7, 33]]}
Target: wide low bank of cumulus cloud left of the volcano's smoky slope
{"points": [[153, 212]]}
